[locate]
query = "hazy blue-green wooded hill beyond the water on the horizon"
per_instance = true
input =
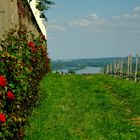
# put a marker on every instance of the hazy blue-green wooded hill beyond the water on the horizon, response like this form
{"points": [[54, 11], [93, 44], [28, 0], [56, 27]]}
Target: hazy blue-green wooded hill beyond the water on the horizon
{"points": [[82, 63]]}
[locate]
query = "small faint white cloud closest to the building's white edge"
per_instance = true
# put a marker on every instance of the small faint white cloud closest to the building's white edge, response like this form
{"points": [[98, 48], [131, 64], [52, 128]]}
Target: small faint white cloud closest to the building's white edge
{"points": [[55, 26]]}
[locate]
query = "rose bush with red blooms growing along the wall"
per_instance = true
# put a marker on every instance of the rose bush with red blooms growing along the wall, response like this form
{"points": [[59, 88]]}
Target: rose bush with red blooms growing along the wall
{"points": [[23, 62]]}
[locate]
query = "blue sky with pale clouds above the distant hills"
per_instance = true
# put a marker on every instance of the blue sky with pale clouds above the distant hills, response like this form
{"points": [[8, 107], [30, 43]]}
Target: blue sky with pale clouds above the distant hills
{"points": [[93, 28]]}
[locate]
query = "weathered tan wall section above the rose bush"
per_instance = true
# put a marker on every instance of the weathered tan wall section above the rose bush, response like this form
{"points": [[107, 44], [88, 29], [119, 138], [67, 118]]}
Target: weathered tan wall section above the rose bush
{"points": [[17, 13]]}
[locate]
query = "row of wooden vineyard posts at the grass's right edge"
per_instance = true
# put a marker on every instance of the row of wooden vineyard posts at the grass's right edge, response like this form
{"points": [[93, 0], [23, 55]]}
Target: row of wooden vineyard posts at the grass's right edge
{"points": [[128, 68]]}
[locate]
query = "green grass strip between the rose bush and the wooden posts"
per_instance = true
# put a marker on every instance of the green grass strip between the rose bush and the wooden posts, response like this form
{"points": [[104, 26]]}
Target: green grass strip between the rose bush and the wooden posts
{"points": [[86, 107]]}
